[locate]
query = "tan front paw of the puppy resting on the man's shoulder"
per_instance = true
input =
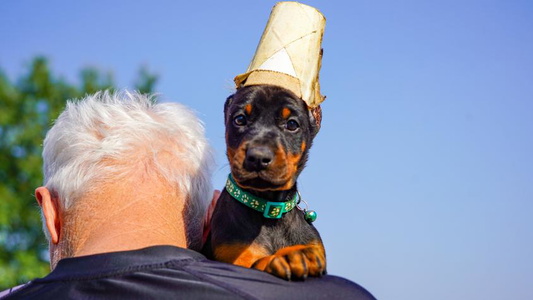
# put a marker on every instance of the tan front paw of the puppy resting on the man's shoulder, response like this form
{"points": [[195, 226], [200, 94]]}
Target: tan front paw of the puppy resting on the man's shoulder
{"points": [[295, 262]]}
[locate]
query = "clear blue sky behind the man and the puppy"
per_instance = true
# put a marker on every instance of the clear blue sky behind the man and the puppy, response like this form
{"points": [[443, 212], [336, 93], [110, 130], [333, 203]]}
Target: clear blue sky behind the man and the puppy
{"points": [[422, 174]]}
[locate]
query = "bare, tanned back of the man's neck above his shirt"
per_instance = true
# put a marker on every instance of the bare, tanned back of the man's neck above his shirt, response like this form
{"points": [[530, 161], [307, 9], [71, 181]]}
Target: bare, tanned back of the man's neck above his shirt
{"points": [[121, 226]]}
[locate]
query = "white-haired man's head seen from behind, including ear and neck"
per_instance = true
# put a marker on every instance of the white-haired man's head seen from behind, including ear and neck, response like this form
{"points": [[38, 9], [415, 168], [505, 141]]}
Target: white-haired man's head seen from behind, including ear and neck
{"points": [[120, 165]]}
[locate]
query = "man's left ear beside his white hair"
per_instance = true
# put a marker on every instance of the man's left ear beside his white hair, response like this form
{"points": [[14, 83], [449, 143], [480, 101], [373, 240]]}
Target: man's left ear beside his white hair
{"points": [[51, 214]]}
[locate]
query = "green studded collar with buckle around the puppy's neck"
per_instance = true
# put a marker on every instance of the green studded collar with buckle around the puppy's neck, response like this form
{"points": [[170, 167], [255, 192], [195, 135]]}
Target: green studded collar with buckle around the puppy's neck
{"points": [[270, 210]]}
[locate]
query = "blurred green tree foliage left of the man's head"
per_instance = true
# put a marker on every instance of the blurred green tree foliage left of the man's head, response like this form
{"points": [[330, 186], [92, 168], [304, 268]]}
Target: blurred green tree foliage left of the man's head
{"points": [[27, 109]]}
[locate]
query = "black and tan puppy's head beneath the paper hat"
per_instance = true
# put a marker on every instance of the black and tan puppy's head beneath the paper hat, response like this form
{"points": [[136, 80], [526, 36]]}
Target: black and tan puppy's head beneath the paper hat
{"points": [[269, 131]]}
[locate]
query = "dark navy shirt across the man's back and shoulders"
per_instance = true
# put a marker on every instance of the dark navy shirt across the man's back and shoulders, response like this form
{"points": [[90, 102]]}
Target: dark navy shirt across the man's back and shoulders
{"points": [[167, 272]]}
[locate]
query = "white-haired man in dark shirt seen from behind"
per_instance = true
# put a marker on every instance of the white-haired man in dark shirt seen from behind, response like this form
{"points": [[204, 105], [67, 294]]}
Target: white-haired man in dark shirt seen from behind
{"points": [[126, 184]]}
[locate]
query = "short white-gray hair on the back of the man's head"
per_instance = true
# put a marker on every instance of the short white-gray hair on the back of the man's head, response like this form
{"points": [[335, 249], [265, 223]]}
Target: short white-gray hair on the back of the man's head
{"points": [[106, 136]]}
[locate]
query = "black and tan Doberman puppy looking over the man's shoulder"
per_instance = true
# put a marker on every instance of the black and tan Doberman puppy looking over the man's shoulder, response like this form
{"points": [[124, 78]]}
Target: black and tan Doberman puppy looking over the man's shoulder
{"points": [[269, 131]]}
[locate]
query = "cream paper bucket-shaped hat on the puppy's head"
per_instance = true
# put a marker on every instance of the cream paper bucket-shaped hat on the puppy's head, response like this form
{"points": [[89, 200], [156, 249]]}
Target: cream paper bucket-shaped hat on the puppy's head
{"points": [[289, 53]]}
